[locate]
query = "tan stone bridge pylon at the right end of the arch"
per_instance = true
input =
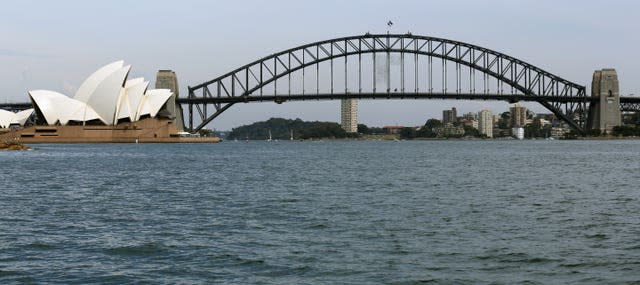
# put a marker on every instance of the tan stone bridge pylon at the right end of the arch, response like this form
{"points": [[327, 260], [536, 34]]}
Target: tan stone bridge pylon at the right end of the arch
{"points": [[605, 113]]}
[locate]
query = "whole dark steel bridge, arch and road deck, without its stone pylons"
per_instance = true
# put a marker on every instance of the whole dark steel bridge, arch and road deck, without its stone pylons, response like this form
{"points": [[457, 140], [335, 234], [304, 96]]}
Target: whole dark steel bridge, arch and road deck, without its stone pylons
{"points": [[389, 66]]}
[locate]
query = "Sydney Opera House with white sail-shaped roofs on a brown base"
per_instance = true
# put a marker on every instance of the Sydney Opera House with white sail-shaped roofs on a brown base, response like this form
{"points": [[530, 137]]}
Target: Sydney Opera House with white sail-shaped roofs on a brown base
{"points": [[107, 107]]}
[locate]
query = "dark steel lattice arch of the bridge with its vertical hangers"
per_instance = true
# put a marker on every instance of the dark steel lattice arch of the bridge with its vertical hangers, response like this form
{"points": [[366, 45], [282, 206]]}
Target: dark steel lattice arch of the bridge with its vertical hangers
{"points": [[567, 100]]}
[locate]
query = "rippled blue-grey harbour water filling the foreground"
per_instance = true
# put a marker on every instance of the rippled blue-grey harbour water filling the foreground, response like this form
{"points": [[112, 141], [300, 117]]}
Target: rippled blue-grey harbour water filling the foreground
{"points": [[344, 212]]}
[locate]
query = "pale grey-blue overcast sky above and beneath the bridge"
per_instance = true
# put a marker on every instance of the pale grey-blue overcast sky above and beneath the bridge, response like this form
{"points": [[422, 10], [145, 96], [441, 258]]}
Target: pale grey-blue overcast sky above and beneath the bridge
{"points": [[54, 45]]}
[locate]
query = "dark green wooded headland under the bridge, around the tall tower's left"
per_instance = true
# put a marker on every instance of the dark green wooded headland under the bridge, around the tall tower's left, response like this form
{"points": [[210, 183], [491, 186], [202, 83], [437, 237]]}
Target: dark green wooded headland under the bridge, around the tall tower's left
{"points": [[282, 129]]}
